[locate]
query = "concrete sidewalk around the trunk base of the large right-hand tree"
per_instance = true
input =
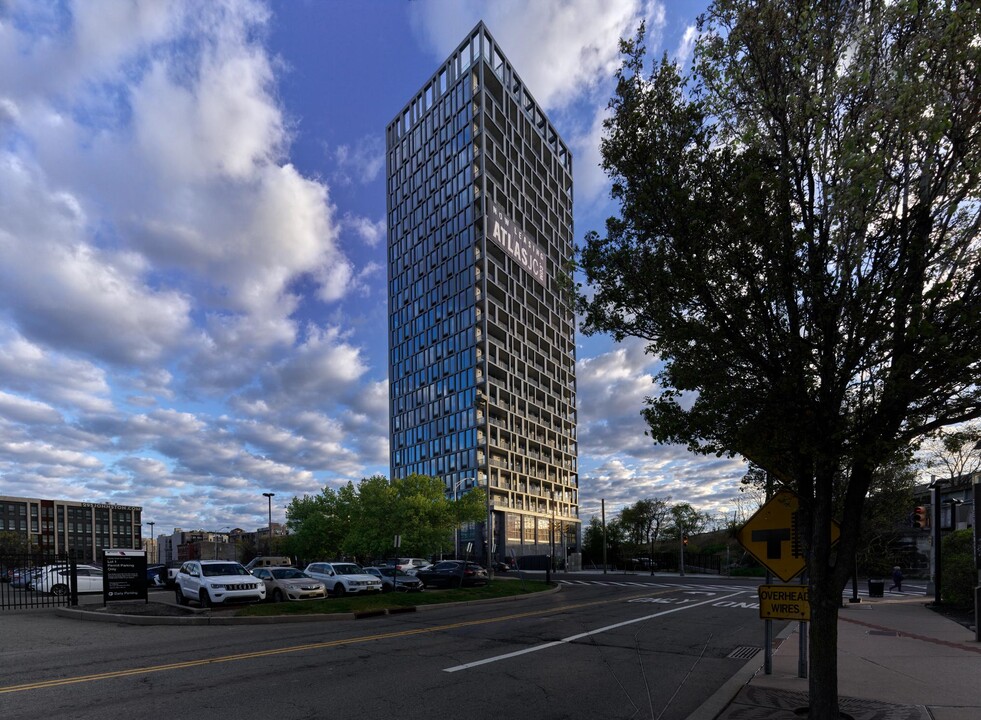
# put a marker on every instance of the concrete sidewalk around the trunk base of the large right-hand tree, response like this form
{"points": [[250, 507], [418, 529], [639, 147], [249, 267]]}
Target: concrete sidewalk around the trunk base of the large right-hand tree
{"points": [[896, 659]]}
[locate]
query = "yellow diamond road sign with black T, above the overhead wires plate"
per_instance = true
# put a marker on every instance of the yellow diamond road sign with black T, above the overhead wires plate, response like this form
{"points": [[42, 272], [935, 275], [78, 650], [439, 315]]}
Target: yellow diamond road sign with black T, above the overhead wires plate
{"points": [[773, 536]]}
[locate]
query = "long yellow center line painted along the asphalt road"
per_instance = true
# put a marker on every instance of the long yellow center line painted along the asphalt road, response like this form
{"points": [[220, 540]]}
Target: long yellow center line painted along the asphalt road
{"points": [[129, 672]]}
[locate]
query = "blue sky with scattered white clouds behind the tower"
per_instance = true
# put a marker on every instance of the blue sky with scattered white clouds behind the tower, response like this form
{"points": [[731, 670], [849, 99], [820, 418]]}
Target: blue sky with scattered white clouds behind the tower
{"points": [[192, 245]]}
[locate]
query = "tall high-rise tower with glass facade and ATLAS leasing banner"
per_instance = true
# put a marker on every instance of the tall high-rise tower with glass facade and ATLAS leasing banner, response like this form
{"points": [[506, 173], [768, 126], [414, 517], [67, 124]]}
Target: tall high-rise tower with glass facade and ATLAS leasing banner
{"points": [[481, 330]]}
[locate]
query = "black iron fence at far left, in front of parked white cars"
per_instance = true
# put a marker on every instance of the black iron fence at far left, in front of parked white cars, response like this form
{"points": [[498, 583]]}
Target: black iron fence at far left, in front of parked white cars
{"points": [[35, 580]]}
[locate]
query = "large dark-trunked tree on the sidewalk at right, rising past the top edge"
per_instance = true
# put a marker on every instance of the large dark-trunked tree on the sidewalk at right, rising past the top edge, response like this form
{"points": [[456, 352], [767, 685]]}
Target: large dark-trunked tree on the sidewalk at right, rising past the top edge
{"points": [[797, 240]]}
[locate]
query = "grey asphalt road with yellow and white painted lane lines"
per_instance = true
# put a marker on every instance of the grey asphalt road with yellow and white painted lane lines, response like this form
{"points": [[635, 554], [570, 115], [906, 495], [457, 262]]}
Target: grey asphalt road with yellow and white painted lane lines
{"points": [[602, 647]]}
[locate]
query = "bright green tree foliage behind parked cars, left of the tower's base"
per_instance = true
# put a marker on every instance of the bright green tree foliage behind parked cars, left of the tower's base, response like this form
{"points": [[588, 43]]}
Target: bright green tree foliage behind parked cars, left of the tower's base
{"points": [[363, 520]]}
